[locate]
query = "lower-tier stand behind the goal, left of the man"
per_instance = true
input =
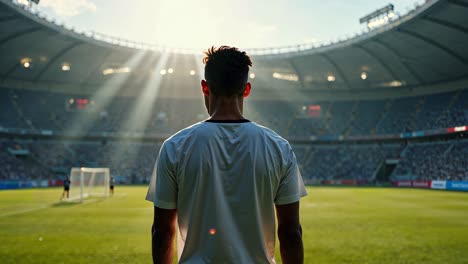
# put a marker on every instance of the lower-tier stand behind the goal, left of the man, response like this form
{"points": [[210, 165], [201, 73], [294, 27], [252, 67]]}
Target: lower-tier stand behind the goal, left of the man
{"points": [[54, 159]]}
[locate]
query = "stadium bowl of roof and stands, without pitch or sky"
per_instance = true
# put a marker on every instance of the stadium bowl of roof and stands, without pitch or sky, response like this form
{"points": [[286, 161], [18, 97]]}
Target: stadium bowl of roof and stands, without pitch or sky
{"points": [[388, 104]]}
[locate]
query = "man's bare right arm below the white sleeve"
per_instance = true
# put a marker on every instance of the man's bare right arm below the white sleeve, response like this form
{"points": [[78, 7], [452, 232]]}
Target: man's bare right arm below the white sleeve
{"points": [[290, 233]]}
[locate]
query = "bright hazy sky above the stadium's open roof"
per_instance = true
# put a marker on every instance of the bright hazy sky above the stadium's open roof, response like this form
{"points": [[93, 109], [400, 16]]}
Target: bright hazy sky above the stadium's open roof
{"points": [[198, 24]]}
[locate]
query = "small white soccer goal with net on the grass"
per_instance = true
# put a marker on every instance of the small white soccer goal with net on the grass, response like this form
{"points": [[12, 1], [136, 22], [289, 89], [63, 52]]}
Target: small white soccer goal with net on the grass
{"points": [[86, 182]]}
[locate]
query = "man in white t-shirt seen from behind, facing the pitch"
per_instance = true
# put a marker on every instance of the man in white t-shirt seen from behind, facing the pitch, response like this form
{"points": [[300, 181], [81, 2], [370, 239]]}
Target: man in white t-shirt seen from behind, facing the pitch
{"points": [[222, 179]]}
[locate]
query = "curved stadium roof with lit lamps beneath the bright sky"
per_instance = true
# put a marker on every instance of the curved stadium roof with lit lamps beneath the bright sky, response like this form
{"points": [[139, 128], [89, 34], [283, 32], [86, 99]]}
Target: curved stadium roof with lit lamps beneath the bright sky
{"points": [[426, 47]]}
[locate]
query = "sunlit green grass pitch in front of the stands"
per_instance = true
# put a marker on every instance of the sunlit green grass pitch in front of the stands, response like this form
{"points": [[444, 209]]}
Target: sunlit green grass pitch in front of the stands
{"points": [[340, 225]]}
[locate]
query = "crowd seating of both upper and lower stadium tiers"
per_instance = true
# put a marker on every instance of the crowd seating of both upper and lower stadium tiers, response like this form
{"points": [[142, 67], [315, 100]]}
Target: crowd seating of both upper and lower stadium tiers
{"points": [[46, 159]]}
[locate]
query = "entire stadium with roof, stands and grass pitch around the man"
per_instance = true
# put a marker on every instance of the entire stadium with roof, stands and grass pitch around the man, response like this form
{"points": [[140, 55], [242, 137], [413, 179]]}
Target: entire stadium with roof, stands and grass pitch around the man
{"points": [[365, 115]]}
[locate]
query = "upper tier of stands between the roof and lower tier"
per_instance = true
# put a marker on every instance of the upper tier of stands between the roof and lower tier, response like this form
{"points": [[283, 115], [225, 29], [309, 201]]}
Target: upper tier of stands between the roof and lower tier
{"points": [[50, 111]]}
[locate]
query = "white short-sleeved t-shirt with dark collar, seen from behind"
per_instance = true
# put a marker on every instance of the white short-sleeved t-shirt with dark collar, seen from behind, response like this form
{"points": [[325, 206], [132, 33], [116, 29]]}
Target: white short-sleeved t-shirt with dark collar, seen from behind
{"points": [[224, 179]]}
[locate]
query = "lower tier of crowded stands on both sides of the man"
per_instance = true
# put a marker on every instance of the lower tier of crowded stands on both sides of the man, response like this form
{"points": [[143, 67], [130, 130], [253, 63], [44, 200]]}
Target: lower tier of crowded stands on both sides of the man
{"points": [[133, 162]]}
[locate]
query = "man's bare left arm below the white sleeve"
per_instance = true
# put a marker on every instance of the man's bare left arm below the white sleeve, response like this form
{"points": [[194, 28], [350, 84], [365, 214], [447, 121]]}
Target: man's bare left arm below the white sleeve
{"points": [[163, 233]]}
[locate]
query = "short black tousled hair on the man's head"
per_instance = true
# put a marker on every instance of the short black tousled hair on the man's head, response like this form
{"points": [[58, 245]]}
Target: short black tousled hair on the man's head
{"points": [[226, 70]]}
